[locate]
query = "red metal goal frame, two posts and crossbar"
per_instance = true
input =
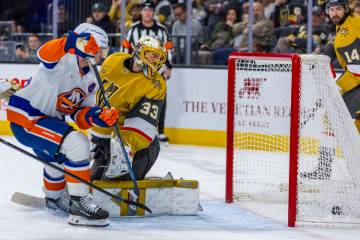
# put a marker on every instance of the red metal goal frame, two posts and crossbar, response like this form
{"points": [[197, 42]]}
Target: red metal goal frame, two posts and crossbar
{"points": [[294, 125]]}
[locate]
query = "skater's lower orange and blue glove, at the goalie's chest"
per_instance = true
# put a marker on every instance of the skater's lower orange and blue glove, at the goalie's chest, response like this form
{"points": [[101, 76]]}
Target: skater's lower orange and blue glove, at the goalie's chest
{"points": [[102, 117]]}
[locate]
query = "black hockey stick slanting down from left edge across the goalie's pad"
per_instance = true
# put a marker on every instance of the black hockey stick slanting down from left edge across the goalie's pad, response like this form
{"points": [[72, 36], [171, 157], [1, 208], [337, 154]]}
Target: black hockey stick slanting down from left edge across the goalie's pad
{"points": [[115, 197]]}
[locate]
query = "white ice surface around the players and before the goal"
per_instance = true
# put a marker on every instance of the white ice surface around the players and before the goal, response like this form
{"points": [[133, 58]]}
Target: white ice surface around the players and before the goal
{"points": [[218, 221]]}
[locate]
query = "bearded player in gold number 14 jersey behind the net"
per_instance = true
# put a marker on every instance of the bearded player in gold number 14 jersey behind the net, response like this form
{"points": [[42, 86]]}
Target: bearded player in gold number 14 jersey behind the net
{"points": [[347, 49]]}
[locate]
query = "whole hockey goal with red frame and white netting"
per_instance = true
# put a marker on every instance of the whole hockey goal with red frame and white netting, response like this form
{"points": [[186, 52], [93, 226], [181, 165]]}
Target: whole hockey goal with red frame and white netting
{"points": [[291, 139]]}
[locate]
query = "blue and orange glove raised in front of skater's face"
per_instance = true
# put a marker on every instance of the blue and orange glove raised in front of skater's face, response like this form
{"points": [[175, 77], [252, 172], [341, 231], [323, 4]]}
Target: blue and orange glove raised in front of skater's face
{"points": [[83, 44]]}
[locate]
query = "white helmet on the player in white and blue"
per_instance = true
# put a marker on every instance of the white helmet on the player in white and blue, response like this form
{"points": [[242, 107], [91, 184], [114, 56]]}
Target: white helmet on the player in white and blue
{"points": [[98, 33]]}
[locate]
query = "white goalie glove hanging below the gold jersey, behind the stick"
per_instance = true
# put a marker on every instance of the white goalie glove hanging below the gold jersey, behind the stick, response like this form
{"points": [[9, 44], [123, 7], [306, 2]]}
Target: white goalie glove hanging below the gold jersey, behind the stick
{"points": [[118, 164]]}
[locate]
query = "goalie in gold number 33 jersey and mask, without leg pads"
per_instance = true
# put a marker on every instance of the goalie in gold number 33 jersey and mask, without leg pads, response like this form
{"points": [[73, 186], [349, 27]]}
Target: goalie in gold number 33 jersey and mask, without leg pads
{"points": [[135, 87]]}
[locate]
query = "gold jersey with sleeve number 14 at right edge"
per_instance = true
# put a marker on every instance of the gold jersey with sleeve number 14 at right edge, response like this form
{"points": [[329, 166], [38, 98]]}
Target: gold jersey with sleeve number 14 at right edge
{"points": [[347, 49]]}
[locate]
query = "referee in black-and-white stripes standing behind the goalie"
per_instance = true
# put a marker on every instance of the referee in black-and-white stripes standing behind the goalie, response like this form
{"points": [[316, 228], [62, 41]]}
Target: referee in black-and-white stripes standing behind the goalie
{"points": [[149, 26]]}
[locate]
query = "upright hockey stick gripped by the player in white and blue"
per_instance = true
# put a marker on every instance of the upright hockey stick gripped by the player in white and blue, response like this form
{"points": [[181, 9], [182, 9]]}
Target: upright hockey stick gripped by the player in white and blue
{"points": [[116, 128]]}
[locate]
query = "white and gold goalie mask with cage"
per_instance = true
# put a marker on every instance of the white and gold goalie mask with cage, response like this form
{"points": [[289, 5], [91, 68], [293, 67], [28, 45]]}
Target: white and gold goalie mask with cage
{"points": [[150, 54]]}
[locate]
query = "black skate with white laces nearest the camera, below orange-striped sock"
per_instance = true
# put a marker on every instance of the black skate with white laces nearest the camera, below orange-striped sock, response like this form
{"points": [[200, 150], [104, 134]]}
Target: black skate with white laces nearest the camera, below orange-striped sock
{"points": [[85, 213]]}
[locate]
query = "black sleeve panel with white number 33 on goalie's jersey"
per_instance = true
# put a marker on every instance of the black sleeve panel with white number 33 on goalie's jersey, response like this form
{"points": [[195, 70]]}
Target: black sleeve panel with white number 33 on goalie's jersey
{"points": [[147, 109]]}
